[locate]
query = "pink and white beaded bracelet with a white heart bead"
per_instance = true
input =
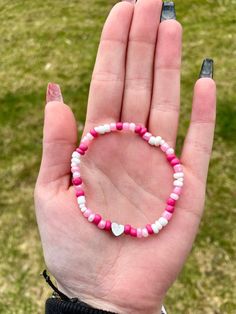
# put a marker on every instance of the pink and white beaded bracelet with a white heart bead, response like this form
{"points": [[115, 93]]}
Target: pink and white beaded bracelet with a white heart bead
{"points": [[107, 225]]}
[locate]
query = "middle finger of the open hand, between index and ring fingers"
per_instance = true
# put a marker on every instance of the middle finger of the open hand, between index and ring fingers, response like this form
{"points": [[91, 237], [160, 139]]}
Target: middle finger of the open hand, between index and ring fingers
{"points": [[140, 56]]}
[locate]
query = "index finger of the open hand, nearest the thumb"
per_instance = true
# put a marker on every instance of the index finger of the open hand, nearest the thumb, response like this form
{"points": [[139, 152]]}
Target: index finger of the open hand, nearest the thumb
{"points": [[106, 89]]}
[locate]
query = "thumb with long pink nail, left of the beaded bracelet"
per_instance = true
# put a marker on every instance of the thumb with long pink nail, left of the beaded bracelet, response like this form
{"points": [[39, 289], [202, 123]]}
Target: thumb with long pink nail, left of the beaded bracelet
{"points": [[59, 140]]}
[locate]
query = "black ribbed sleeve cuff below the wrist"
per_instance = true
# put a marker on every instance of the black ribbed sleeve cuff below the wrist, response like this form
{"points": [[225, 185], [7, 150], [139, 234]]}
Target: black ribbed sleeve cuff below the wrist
{"points": [[57, 306]]}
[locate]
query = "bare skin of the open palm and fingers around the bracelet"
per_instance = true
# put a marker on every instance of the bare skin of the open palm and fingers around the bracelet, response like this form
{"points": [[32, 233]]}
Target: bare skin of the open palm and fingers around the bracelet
{"points": [[136, 78]]}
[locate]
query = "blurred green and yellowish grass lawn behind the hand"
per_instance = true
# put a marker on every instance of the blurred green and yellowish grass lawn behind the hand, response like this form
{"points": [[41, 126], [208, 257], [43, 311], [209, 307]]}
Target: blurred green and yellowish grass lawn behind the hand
{"points": [[43, 41]]}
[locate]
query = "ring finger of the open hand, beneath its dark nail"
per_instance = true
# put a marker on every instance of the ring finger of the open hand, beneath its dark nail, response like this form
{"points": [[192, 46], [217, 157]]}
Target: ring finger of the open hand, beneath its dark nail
{"points": [[164, 112]]}
